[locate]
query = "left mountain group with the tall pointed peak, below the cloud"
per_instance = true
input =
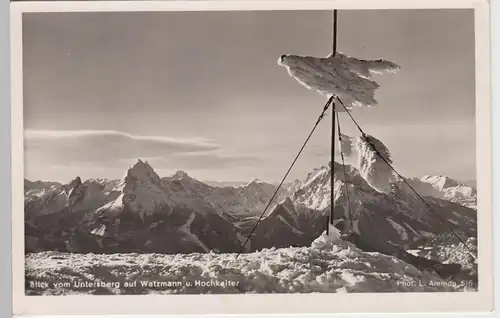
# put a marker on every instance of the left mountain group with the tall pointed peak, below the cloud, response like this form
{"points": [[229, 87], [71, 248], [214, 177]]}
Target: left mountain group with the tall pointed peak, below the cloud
{"points": [[142, 212]]}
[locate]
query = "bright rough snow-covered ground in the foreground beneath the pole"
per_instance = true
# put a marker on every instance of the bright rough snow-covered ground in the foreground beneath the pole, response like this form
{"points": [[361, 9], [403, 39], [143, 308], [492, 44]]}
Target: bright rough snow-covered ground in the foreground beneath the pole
{"points": [[325, 267]]}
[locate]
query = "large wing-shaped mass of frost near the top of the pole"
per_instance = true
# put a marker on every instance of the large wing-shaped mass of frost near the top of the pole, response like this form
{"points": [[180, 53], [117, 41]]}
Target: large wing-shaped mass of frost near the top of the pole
{"points": [[337, 74]]}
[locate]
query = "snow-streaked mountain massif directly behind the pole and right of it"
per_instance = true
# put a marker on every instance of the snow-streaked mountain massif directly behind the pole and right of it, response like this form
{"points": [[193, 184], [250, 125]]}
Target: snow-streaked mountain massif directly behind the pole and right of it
{"points": [[383, 221]]}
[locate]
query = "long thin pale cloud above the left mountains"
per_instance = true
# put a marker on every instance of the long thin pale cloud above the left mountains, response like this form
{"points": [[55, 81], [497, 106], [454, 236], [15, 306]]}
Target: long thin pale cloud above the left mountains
{"points": [[100, 146]]}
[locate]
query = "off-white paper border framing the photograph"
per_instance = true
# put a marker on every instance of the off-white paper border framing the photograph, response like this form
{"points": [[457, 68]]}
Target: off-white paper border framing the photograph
{"points": [[480, 301]]}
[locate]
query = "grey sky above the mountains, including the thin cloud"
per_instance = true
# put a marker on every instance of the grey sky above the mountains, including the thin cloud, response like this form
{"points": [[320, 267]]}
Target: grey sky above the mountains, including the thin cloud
{"points": [[202, 92]]}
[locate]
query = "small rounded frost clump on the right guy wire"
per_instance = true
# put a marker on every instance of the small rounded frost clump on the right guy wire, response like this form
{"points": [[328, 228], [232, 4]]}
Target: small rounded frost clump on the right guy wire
{"points": [[372, 167]]}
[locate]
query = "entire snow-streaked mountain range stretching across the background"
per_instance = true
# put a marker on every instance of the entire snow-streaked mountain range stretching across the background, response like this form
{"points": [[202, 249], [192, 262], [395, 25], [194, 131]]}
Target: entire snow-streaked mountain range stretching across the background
{"points": [[142, 212]]}
